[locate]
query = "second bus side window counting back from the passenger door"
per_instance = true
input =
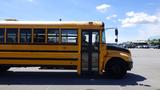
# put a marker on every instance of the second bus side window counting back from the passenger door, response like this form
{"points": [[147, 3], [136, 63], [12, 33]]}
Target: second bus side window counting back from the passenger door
{"points": [[53, 35]]}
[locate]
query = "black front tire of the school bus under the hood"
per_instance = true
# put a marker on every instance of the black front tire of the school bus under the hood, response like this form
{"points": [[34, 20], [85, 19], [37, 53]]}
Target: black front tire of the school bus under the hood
{"points": [[116, 68]]}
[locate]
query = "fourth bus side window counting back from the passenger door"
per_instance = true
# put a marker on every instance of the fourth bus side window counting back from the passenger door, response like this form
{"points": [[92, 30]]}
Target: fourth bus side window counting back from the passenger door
{"points": [[25, 35]]}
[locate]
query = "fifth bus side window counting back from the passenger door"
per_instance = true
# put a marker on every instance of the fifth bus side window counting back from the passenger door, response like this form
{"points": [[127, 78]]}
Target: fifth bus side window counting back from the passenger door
{"points": [[11, 35]]}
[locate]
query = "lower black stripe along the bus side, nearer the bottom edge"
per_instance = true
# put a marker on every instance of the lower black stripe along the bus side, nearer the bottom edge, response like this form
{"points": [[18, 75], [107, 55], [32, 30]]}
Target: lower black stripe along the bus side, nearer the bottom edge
{"points": [[7, 58]]}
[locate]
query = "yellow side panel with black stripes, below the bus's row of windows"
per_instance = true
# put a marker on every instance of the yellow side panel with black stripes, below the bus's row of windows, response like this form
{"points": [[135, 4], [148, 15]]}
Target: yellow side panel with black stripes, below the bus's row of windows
{"points": [[39, 54]]}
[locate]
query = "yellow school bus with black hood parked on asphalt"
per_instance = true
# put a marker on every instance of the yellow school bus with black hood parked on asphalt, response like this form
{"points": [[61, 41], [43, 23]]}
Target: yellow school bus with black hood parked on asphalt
{"points": [[78, 45]]}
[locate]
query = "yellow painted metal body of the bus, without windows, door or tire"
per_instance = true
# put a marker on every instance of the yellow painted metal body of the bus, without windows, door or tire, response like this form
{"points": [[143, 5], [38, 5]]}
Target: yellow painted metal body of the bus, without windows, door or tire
{"points": [[63, 51]]}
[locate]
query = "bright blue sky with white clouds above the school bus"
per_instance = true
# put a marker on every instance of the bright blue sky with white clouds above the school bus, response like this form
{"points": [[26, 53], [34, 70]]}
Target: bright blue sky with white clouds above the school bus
{"points": [[135, 19]]}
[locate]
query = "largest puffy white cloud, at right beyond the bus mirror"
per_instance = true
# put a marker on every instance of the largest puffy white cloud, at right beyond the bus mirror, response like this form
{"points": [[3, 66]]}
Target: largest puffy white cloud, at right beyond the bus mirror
{"points": [[138, 18]]}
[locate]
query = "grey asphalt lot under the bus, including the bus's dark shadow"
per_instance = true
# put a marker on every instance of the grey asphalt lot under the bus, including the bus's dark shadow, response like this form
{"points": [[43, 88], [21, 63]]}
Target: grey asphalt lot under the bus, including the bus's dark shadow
{"points": [[145, 75]]}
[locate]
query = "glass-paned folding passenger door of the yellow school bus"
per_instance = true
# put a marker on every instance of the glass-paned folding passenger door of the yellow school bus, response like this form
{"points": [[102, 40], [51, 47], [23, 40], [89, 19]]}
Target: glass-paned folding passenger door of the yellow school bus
{"points": [[90, 52]]}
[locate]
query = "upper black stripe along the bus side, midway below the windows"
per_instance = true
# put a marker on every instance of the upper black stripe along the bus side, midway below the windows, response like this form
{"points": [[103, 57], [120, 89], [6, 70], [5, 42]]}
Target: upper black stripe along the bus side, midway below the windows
{"points": [[38, 51]]}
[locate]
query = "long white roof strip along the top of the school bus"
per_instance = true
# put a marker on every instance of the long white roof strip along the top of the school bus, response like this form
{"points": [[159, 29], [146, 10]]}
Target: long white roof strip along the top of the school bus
{"points": [[96, 23]]}
